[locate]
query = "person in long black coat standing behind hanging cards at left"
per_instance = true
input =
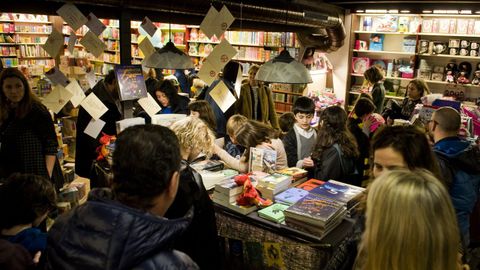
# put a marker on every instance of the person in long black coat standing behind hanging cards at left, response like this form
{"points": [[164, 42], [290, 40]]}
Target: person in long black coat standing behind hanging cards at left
{"points": [[107, 91]]}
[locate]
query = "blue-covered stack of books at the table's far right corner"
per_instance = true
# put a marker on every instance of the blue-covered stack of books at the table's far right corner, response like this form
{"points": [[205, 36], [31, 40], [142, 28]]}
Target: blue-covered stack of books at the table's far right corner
{"points": [[345, 194]]}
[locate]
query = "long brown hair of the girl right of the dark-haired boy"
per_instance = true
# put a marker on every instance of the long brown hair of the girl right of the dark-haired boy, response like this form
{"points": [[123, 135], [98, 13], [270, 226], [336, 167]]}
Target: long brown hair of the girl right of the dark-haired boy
{"points": [[334, 130]]}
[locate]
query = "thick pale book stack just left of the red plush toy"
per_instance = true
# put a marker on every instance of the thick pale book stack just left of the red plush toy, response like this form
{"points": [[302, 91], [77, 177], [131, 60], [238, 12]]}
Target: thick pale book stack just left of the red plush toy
{"points": [[226, 194]]}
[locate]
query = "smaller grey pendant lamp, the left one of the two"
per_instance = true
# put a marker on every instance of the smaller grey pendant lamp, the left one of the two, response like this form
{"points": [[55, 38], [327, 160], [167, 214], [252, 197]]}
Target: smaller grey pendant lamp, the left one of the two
{"points": [[169, 56]]}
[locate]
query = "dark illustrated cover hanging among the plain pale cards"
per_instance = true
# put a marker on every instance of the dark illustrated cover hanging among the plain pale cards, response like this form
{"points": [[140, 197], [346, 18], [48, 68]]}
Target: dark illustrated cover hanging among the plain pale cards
{"points": [[131, 84]]}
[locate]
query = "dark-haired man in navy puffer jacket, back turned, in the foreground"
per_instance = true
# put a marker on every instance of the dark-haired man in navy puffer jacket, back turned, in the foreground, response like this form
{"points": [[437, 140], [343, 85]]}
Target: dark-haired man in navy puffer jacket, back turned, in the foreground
{"points": [[123, 227]]}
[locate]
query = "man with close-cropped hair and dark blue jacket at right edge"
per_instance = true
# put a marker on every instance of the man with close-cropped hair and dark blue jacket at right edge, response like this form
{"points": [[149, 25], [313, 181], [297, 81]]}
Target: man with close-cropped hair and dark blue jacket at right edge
{"points": [[459, 161]]}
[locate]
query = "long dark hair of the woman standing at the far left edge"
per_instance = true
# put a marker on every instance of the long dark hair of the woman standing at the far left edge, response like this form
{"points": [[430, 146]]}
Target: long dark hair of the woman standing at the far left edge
{"points": [[25, 105]]}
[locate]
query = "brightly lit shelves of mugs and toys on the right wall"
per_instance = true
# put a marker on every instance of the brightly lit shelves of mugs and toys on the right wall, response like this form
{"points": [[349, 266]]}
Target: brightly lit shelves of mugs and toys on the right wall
{"points": [[425, 42]]}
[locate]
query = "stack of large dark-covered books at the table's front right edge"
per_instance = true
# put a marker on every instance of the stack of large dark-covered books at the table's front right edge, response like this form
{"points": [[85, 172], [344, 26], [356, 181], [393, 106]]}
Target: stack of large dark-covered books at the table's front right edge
{"points": [[315, 215]]}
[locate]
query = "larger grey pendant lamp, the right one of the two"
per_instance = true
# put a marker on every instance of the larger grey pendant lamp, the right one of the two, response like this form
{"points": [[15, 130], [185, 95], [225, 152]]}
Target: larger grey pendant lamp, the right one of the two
{"points": [[284, 68]]}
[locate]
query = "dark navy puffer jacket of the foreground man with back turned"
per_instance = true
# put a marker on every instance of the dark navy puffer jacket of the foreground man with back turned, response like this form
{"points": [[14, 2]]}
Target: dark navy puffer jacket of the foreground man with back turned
{"points": [[105, 234]]}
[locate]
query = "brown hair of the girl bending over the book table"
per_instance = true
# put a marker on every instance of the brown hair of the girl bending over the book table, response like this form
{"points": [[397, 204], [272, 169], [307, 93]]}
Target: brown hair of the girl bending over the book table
{"points": [[253, 133]]}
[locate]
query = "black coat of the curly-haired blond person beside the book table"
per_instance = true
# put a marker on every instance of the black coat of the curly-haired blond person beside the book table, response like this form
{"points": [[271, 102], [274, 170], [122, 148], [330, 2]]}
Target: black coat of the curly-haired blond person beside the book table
{"points": [[200, 239]]}
